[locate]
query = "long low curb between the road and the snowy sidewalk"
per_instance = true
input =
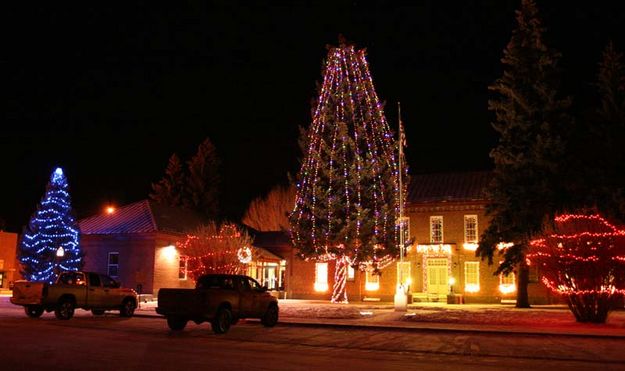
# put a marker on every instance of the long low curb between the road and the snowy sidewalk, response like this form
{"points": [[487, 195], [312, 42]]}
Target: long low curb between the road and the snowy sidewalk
{"points": [[289, 322]]}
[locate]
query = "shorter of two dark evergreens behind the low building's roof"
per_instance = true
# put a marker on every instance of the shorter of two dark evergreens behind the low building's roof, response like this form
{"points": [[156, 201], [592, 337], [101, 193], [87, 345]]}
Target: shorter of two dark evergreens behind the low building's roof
{"points": [[170, 189]]}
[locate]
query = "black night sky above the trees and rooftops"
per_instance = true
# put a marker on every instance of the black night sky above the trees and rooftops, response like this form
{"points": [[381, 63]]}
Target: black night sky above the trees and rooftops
{"points": [[109, 91]]}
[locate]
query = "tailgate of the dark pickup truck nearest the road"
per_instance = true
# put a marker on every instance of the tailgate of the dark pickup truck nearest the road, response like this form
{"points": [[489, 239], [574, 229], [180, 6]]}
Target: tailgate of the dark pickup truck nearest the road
{"points": [[179, 302]]}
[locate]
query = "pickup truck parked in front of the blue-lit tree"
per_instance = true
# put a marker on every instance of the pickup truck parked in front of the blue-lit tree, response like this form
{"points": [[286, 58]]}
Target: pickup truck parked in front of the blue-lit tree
{"points": [[86, 290]]}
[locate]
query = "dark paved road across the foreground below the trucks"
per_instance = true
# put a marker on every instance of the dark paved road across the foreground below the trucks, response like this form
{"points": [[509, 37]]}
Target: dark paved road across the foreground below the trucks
{"points": [[110, 342]]}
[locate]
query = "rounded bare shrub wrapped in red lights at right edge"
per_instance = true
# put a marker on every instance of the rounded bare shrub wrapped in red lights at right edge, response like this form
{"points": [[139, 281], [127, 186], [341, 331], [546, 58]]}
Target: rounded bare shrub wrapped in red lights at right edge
{"points": [[583, 258]]}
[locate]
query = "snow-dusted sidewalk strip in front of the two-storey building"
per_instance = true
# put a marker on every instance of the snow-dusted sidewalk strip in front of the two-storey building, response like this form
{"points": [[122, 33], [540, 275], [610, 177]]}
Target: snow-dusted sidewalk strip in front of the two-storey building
{"points": [[539, 320]]}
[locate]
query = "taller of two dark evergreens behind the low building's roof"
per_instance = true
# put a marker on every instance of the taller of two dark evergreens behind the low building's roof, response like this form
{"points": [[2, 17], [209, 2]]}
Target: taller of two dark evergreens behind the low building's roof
{"points": [[202, 183]]}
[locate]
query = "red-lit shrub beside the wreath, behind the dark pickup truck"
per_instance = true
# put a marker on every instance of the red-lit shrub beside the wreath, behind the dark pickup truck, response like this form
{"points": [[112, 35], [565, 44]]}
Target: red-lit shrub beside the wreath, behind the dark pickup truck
{"points": [[213, 248]]}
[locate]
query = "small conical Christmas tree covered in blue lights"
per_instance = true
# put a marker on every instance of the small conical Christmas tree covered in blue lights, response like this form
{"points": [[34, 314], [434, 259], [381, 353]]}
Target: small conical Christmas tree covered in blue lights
{"points": [[50, 243]]}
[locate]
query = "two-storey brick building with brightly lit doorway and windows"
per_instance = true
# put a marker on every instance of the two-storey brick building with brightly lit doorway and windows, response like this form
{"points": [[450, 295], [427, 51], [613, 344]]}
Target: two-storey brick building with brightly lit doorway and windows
{"points": [[445, 215]]}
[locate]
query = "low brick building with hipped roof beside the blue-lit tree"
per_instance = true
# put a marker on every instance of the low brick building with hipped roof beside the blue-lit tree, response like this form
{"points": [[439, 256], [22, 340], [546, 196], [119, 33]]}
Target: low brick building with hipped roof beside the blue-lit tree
{"points": [[136, 245]]}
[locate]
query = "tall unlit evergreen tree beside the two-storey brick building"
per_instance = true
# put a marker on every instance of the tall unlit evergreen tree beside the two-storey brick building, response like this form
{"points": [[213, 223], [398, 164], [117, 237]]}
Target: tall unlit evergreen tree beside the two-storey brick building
{"points": [[531, 121]]}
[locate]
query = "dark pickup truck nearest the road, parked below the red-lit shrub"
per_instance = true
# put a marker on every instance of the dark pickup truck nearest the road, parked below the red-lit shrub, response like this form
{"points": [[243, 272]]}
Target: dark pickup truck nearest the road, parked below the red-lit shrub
{"points": [[220, 299]]}
